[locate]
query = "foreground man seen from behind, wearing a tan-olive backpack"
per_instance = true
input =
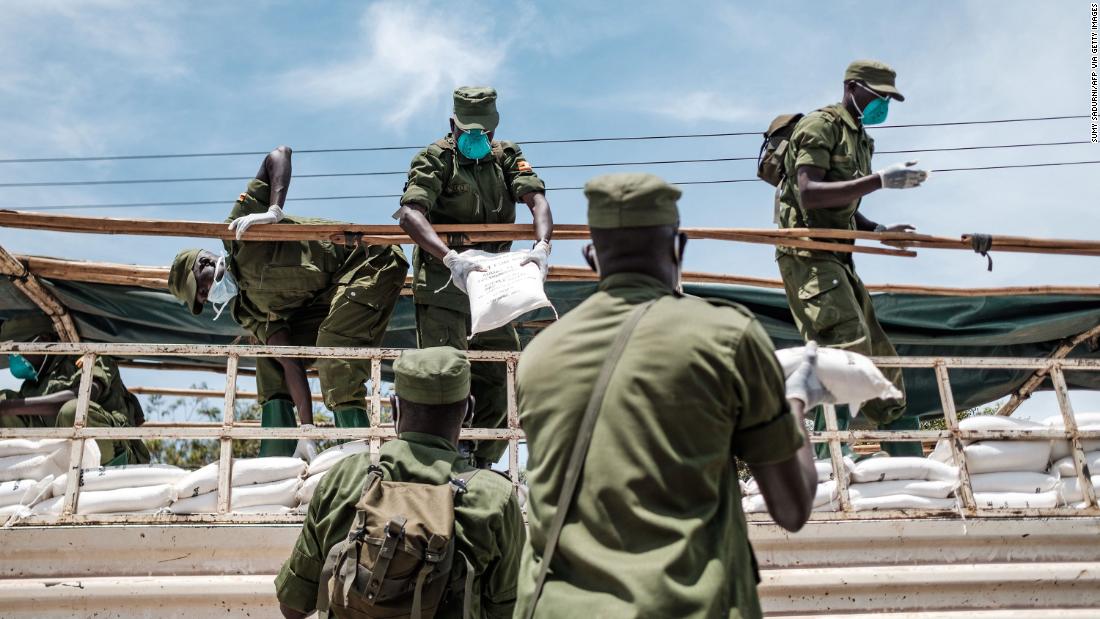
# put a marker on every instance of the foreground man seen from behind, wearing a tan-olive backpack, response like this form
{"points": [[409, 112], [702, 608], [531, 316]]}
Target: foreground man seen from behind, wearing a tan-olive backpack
{"points": [[432, 402]]}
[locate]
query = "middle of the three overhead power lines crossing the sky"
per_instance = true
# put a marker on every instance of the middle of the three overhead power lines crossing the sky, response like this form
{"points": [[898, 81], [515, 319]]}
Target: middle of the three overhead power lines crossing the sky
{"points": [[553, 167]]}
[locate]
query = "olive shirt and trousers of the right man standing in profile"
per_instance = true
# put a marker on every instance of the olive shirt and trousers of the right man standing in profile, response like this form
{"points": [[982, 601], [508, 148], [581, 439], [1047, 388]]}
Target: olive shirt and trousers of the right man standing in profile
{"points": [[828, 299]]}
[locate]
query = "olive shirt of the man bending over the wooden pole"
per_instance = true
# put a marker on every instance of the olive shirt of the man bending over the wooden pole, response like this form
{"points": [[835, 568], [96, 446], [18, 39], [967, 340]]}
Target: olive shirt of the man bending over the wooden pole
{"points": [[280, 279]]}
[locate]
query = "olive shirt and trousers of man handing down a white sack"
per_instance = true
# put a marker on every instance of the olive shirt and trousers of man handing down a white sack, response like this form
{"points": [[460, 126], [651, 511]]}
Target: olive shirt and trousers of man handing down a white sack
{"points": [[455, 190]]}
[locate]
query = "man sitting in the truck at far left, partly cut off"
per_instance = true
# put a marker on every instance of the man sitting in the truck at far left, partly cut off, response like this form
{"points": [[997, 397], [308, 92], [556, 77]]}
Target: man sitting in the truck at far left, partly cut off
{"points": [[49, 394]]}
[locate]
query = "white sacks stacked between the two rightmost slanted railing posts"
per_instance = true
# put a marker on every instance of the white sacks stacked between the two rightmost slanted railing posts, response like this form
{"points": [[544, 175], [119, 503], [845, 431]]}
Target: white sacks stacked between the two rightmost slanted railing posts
{"points": [[1007, 474]]}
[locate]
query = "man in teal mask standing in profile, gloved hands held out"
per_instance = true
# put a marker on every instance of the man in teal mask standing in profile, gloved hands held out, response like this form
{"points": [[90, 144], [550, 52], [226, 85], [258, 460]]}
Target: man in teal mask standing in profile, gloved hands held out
{"points": [[829, 172]]}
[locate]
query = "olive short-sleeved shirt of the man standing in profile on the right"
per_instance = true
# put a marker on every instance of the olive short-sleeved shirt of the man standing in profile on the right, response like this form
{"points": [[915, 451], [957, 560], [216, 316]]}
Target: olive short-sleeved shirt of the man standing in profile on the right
{"points": [[828, 139]]}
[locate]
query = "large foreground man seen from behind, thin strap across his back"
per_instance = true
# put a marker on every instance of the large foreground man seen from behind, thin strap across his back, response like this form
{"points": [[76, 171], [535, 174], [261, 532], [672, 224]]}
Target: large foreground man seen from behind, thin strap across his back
{"points": [[651, 395]]}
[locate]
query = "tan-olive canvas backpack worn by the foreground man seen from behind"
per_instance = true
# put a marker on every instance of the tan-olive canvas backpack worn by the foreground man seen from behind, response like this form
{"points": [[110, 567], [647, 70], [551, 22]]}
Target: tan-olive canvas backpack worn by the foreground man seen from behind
{"points": [[398, 559]]}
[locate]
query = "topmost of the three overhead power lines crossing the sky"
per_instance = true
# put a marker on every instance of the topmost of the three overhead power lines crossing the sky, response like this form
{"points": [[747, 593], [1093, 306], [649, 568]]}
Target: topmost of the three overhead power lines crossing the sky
{"points": [[563, 141]]}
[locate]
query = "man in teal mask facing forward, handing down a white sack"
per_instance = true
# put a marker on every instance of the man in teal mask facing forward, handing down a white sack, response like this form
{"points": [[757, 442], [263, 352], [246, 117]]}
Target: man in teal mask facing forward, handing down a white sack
{"points": [[467, 178]]}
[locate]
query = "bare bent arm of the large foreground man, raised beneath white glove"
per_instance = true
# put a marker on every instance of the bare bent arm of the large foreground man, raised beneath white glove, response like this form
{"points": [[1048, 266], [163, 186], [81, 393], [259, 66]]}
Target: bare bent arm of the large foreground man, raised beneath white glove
{"points": [[789, 487]]}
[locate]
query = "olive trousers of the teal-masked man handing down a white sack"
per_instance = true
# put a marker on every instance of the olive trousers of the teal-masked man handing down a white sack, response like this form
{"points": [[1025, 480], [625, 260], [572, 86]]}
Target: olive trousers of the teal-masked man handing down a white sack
{"points": [[441, 327]]}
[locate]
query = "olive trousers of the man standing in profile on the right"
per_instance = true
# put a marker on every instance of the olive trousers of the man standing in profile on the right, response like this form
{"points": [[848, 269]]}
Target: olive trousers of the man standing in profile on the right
{"points": [[832, 307]]}
